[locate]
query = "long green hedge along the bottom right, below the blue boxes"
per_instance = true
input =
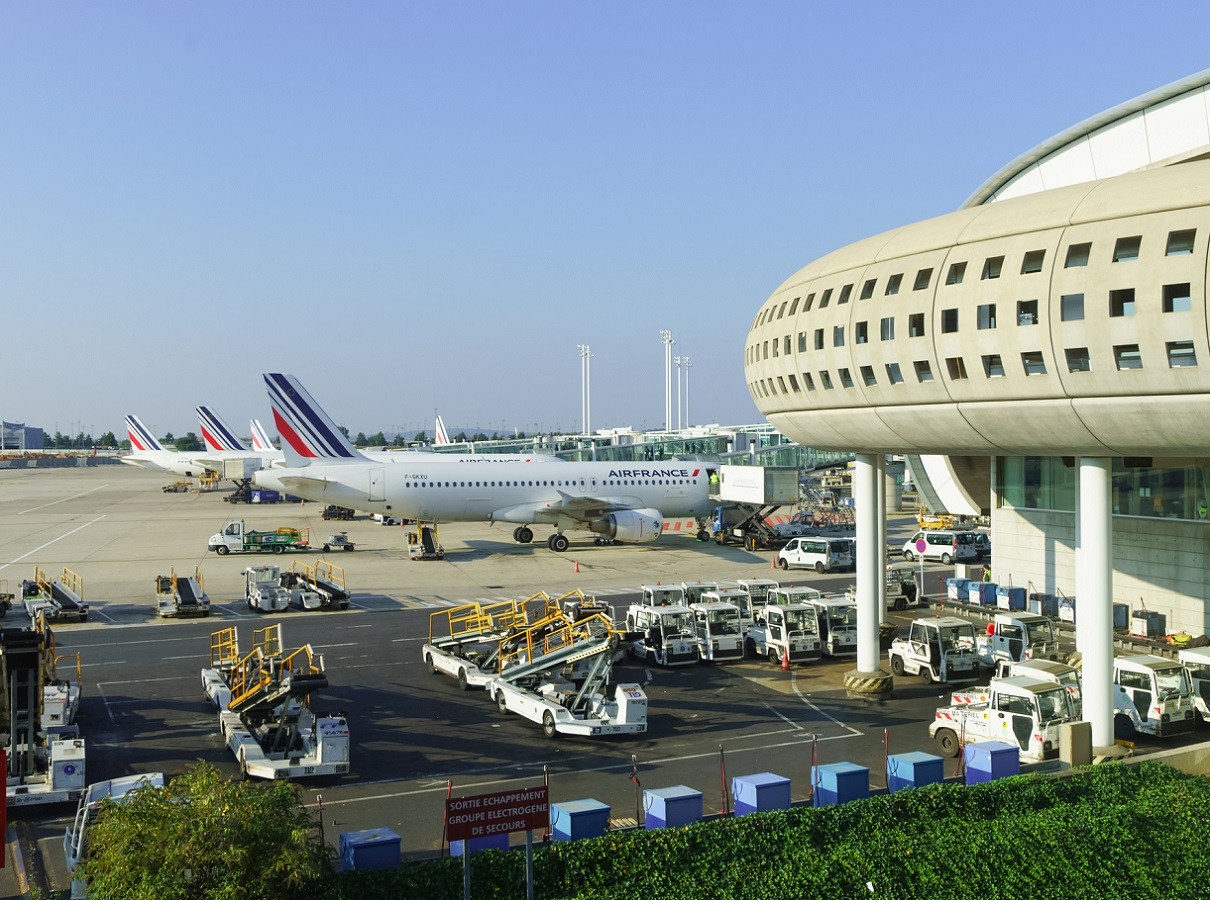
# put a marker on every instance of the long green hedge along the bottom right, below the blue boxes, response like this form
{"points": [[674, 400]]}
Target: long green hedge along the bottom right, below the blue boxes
{"points": [[1115, 832]]}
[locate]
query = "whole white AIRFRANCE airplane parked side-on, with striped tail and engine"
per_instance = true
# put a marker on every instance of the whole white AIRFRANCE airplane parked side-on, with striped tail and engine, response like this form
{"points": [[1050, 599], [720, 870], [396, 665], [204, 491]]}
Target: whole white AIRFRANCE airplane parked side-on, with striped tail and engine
{"points": [[621, 501]]}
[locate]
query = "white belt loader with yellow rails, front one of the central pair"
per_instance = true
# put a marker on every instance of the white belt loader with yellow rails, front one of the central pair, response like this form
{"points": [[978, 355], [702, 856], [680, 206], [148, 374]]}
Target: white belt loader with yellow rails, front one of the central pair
{"points": [[556, 672]]}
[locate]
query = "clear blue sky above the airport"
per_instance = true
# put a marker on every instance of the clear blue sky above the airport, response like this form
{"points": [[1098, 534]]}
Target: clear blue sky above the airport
{"points": [[430, 206]]}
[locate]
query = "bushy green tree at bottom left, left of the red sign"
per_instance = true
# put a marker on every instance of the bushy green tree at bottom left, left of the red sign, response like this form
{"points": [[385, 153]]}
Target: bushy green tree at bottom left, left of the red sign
{"points": [[206, 836]]}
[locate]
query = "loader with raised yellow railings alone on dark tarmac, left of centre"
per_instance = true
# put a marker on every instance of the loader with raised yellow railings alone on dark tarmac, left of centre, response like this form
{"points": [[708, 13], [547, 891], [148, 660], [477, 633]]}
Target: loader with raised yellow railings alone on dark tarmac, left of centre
{"points": [[264, 703]]}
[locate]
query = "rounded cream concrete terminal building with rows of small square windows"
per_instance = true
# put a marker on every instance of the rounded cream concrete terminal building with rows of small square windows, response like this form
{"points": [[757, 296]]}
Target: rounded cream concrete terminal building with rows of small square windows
{"points": [[1041, 354]]}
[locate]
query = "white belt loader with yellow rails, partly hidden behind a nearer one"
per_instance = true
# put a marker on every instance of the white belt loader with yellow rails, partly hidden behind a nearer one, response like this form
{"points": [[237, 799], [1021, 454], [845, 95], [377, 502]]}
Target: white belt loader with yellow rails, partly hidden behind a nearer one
{"points": [[465, 641]]}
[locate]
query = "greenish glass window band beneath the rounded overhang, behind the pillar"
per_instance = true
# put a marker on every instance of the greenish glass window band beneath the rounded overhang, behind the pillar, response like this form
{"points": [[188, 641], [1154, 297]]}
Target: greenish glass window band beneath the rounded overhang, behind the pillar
{"points": [[1153, 492]]}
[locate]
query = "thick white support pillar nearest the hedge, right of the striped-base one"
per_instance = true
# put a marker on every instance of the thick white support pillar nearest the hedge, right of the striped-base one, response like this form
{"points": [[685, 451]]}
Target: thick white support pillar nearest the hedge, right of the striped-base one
{"points": [[1094, 598]]}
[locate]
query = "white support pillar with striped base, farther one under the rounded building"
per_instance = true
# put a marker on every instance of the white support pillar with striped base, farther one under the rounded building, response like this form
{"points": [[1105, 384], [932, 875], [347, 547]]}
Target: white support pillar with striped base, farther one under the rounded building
{"points": [[868, 682]]}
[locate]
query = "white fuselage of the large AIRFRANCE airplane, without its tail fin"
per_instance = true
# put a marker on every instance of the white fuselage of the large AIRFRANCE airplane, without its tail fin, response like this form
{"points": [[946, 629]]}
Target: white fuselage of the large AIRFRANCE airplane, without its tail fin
{"points": [[499, 492]]}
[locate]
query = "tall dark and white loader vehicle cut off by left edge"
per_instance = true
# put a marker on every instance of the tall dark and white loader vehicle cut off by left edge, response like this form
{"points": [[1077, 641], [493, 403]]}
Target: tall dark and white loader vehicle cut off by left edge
{"points": [[45, 753]]}
